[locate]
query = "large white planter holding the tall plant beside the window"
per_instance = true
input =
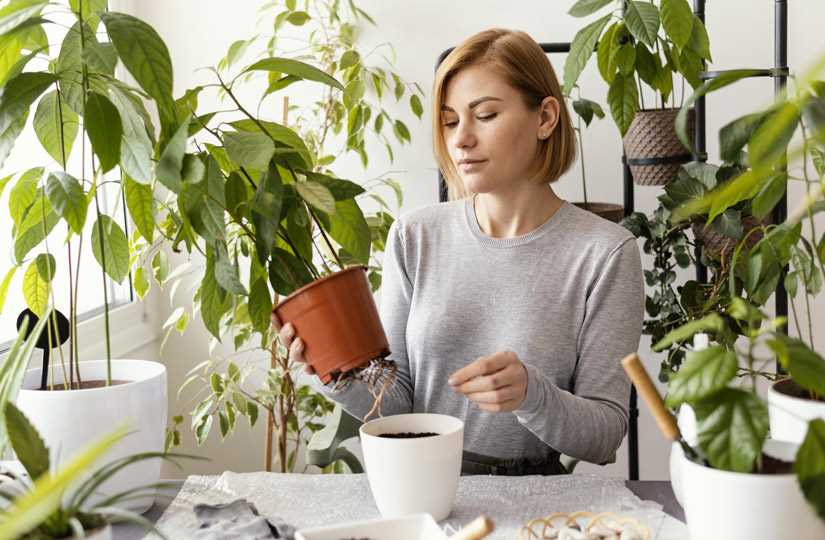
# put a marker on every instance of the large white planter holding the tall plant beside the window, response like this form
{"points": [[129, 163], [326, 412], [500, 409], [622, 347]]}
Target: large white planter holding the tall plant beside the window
{"points": [[68, 420]]}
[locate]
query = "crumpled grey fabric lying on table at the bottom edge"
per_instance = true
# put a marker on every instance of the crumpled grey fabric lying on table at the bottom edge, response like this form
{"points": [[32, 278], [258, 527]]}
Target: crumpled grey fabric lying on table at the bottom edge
{"points": [[238, 520]]}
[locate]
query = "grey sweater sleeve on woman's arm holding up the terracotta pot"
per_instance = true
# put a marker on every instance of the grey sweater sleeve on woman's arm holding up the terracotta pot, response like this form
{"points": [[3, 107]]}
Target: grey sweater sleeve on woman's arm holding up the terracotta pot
{"points": [[395, 296]]}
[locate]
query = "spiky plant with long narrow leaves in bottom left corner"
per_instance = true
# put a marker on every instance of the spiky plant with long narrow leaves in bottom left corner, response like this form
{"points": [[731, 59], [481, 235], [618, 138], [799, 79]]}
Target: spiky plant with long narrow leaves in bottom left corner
{"points": [[41, 501]]}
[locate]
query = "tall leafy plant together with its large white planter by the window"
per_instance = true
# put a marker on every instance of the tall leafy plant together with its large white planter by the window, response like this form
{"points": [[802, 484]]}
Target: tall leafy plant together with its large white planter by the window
{"points": [[50, 203]]}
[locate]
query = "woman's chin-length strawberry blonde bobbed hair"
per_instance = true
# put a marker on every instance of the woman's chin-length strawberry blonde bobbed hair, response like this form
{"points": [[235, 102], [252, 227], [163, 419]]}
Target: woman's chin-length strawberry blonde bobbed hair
{"points": [[516, 57]]}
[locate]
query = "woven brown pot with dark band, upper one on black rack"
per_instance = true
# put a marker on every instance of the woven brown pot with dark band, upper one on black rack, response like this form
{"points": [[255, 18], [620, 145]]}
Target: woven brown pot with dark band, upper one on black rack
{"points": [[653, 151]]}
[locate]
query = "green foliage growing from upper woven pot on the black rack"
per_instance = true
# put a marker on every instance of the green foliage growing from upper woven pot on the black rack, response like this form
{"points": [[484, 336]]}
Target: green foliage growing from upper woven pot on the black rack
{"points": [[638, 42]]}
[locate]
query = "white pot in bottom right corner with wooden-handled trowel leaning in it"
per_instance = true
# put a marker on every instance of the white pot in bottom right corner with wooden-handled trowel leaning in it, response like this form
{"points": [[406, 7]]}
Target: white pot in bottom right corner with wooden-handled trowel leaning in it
{"points": [[736, 506]]}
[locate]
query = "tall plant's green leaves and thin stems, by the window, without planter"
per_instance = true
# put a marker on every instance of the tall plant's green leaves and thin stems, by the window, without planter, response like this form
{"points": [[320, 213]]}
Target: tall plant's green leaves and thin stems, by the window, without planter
{"points": [[97, 130]]}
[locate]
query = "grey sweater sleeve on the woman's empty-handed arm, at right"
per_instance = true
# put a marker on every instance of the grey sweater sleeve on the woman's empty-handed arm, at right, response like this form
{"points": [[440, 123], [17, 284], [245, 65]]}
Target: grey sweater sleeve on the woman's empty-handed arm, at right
{"points": [[590, 422]]}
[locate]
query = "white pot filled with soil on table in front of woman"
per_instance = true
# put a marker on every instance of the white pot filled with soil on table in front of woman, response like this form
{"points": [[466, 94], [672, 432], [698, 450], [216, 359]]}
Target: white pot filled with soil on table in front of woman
{"points": [[411, 476]]}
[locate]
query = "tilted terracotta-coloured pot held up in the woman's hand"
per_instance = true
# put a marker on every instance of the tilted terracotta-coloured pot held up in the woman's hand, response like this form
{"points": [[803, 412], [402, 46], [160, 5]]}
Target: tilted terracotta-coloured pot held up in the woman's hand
{"points": [[338, 322]]}
